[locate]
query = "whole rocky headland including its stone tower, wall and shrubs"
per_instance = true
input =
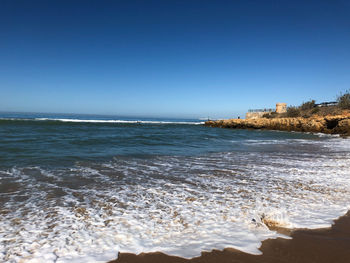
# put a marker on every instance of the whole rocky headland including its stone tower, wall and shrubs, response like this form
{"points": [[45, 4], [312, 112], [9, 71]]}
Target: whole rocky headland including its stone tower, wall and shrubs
{"points": [[326, 117]]}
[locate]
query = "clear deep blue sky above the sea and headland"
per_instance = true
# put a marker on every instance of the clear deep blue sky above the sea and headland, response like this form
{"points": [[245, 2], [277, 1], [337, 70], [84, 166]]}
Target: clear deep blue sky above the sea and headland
{"points": [[171, 58]]}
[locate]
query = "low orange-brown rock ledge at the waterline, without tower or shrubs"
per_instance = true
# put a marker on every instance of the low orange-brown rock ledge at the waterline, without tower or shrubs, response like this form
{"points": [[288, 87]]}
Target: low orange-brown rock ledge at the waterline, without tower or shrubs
{"points": [[336, 124]]}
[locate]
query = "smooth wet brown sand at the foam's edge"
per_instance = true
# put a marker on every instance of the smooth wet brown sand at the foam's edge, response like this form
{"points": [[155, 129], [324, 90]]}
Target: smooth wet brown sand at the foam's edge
{"points": [[306, 246]]}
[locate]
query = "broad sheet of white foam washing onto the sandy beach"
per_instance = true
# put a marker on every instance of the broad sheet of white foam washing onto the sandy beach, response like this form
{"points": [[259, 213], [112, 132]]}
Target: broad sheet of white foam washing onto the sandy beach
{"points": [[178, 205]]}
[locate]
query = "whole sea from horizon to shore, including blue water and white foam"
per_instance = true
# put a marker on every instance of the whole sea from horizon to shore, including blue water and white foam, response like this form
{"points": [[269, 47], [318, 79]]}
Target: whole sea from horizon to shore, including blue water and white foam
{"points": [[81, 188]]}
